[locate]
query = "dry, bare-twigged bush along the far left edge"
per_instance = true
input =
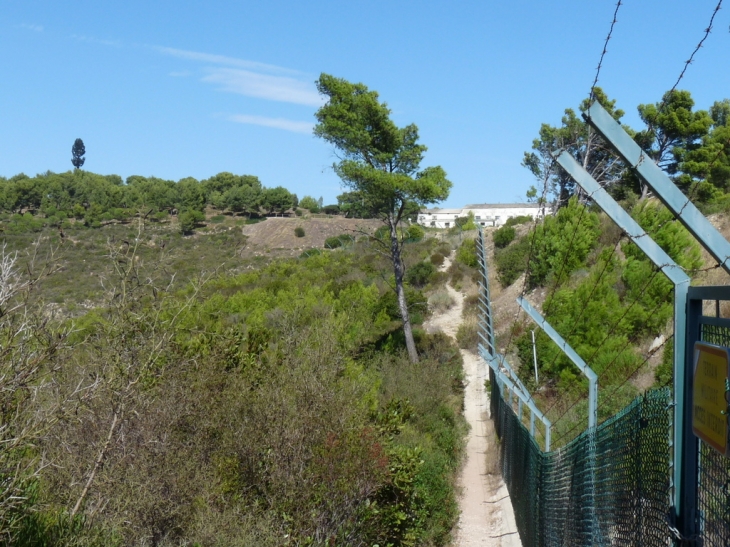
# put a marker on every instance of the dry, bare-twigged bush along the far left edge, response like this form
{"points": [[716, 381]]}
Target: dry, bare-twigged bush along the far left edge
{"points": [[32, 351]]}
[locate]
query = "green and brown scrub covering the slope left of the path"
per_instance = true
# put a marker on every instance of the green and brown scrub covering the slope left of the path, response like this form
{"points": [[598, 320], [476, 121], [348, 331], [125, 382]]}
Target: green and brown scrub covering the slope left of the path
{"points": [[273, 406]]}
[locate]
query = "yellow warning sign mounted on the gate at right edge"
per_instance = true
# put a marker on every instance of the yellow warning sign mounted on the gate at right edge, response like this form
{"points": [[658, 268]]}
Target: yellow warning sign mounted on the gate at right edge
{"points": [[709, 402]]}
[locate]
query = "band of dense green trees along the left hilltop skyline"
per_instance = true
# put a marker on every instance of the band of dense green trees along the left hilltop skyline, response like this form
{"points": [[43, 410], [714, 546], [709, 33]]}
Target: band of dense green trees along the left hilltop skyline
{"points": [[53, 199]]}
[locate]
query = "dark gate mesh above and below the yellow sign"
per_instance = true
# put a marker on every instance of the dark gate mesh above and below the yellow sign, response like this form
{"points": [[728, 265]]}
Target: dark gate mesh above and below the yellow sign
{"points": [[713, 490]]}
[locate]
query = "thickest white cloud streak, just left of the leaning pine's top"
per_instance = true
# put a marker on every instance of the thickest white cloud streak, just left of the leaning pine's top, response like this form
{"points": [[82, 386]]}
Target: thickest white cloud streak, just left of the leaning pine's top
{"points": [[264, 86]]}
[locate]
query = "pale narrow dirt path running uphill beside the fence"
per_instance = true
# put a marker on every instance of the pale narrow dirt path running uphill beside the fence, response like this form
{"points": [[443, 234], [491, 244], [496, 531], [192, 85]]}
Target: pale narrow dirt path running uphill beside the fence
{"points": [[486, 510]]}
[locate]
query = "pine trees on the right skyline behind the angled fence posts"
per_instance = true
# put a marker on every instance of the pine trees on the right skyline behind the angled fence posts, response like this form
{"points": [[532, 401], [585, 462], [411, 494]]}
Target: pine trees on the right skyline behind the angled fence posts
{"points": [[692, 146]]}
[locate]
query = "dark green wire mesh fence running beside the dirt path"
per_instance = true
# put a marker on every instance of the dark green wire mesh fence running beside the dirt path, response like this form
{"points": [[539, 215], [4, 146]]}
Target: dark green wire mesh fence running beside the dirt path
{"points": [[620, 496]]}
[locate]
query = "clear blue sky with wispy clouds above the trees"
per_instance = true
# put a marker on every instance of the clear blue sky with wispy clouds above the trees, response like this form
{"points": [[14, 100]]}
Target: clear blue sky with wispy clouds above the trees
{"points": [[192, 88]]}
